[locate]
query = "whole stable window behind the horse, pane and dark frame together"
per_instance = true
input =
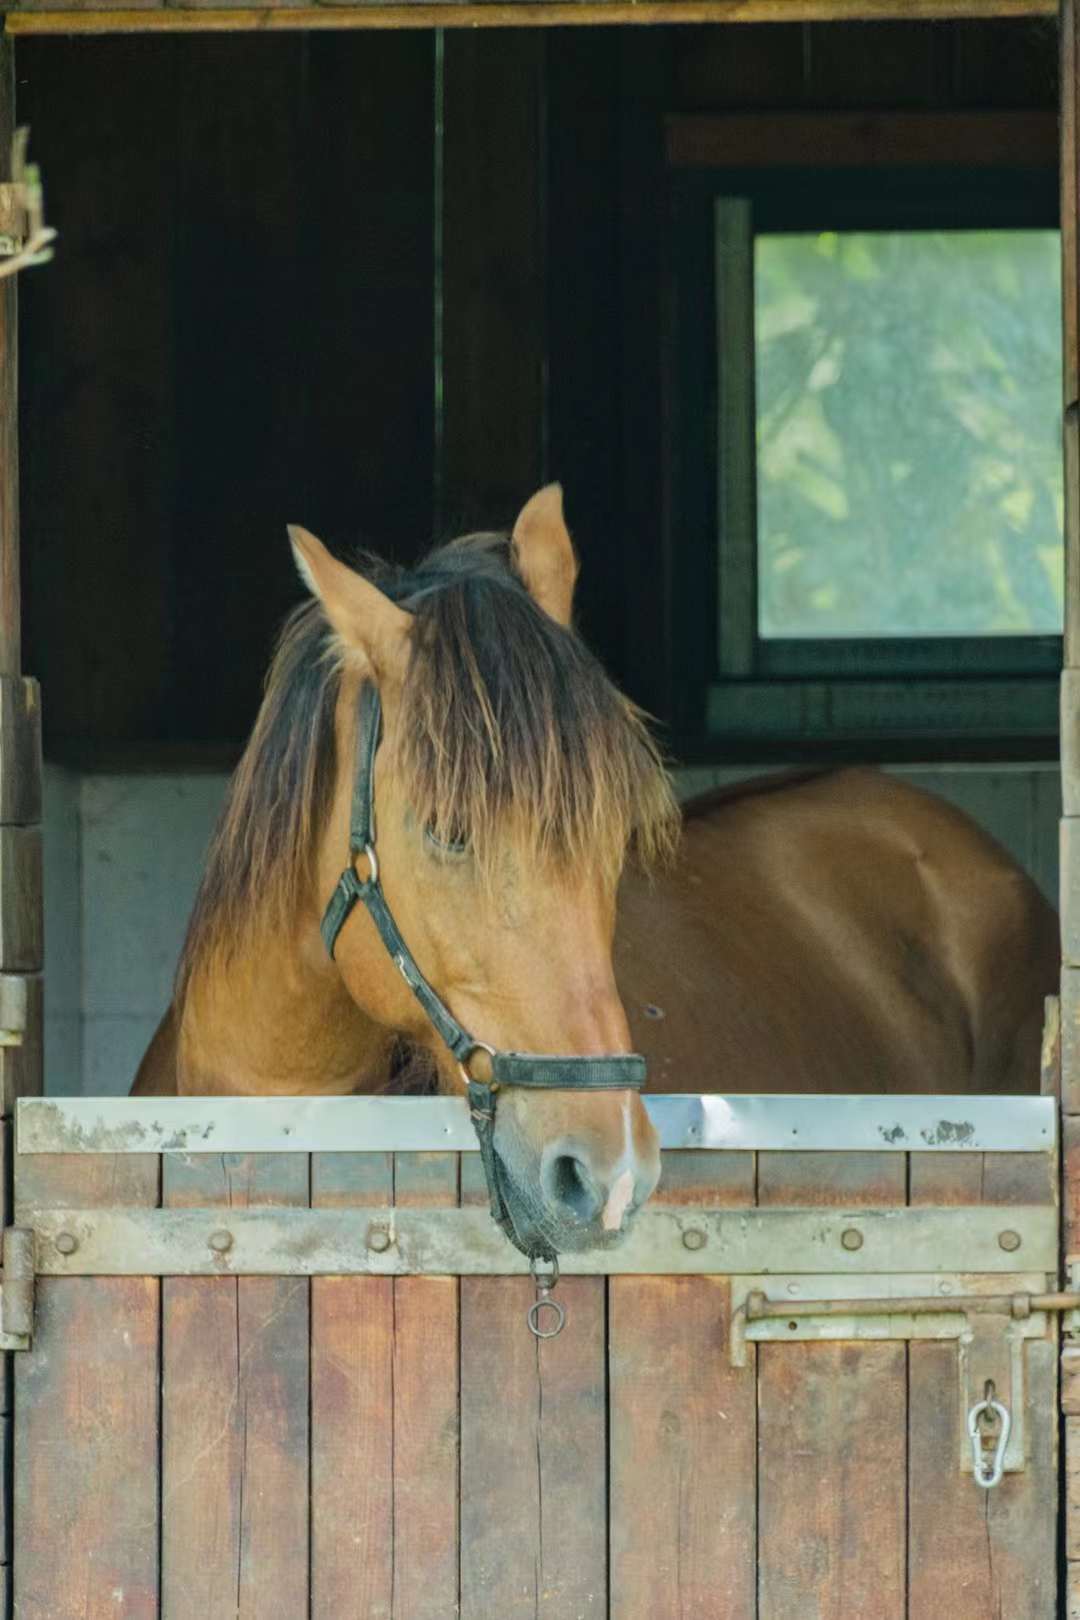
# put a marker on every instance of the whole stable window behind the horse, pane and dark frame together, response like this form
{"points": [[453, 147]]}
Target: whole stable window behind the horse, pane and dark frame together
{"points": [[882, 438]]}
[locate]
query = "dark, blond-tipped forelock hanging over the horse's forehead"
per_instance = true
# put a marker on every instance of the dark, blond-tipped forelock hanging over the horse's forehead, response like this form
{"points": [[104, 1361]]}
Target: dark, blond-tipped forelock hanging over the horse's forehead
{"points": [[511, 728]]}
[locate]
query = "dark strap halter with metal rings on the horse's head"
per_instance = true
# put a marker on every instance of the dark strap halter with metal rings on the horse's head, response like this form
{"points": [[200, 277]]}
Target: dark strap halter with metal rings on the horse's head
{"points": [[623, 1072]]}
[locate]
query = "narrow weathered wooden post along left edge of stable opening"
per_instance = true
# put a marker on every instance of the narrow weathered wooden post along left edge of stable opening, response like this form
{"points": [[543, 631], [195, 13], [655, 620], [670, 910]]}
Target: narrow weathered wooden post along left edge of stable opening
{"points": [[20, 808]]}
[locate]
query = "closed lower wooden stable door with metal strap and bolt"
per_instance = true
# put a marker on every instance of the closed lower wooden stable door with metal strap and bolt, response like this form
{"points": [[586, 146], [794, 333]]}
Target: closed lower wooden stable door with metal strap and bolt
{"points": [[362, 1447]]}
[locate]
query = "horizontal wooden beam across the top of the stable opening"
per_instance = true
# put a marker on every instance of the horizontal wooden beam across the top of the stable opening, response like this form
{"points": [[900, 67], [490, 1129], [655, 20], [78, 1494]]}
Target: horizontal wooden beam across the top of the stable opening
{"points": [[530, 14]]}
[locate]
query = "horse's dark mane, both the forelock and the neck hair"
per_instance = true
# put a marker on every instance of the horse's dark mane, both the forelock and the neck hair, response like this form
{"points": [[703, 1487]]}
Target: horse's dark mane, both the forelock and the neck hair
{"points": [[508, 725]]}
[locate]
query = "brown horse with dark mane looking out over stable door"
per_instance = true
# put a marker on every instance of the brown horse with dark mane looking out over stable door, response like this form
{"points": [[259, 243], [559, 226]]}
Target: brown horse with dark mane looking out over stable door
{"points": [[840, 932]]}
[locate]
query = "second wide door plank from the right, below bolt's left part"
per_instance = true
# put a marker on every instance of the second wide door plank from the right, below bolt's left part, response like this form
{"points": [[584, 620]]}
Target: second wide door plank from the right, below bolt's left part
{"points": [[831, 1532]]}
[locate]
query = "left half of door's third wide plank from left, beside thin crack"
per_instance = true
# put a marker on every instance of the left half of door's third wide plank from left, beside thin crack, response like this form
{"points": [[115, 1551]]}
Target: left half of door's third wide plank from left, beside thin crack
{"points": [[352, 1412]]}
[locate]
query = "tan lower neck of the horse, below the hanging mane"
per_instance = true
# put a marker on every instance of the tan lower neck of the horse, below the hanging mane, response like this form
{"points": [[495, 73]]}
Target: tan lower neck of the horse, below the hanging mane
{"points": [[278, 1020]]}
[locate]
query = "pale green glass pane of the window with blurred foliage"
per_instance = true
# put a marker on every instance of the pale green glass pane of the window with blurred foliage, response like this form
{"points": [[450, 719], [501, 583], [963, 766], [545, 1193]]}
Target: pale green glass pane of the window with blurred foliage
{"points": [[909, 433]]}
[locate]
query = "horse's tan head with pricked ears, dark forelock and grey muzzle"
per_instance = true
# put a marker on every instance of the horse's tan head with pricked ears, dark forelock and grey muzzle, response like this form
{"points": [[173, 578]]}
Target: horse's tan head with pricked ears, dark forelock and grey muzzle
{"points": [[508, 782]]}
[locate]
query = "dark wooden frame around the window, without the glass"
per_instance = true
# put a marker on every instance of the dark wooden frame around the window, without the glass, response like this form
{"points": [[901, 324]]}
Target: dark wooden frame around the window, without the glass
{"points": [[840, 173]]}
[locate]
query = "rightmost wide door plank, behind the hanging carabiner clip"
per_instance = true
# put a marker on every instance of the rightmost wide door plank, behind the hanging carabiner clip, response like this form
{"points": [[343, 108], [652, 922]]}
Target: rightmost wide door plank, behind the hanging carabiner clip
{"points": [[980, 1551]]}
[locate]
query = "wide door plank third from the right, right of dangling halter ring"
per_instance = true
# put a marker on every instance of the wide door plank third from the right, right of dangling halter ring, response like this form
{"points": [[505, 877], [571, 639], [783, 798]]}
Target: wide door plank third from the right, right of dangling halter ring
{"points": [[682, 1428]]}
